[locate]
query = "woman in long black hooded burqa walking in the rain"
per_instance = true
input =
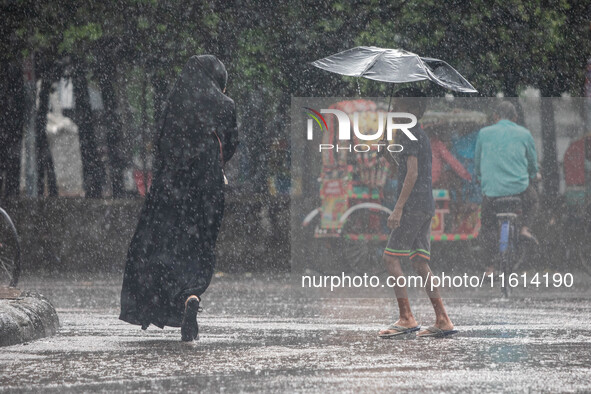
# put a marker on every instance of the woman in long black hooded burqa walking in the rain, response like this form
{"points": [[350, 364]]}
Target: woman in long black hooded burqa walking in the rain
{"points": [[171, 259]]}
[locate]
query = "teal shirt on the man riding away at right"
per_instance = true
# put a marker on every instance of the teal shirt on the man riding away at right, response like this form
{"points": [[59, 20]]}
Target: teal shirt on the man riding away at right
{"points": [[505, 159]]}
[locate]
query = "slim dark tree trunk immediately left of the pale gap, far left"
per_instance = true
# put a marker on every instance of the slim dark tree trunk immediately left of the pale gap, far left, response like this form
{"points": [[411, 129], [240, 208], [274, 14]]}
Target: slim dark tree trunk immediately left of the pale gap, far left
{"points": [[45, 168]]}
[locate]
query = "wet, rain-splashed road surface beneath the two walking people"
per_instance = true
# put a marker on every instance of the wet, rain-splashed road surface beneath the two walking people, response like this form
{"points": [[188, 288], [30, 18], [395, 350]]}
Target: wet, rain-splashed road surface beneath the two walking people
{"points": [[258, 335]]}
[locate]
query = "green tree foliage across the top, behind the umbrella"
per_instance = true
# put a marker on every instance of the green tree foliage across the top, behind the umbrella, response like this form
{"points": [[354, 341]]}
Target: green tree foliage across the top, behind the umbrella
{"points": [[499, 45]]}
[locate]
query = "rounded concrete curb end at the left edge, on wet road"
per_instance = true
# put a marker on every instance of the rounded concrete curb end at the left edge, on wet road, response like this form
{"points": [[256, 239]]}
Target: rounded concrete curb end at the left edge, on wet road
{"points": [[29, 317]]}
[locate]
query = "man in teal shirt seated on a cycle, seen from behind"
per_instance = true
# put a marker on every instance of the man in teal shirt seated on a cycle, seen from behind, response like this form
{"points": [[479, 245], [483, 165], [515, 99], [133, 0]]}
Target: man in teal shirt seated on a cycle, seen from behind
{"points": [[505, 164]]}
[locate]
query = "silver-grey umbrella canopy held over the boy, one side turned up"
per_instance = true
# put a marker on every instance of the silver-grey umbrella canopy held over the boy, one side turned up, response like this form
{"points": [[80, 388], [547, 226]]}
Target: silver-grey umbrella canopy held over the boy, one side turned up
{"points": [[394, 65]]}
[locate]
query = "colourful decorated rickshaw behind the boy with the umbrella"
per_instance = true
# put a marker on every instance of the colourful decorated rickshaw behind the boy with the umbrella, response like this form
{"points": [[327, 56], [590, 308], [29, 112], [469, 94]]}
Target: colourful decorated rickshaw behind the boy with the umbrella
{"points": [[357, 192]]}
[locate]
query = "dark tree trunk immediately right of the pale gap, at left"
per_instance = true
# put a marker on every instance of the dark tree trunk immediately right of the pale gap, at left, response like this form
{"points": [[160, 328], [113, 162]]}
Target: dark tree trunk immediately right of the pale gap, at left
{"points": [[92, 170]]}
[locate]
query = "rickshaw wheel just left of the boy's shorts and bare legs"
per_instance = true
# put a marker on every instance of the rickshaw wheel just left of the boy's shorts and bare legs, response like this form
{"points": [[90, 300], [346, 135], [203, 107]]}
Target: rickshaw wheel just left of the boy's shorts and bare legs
{"points": [[360, 249]]}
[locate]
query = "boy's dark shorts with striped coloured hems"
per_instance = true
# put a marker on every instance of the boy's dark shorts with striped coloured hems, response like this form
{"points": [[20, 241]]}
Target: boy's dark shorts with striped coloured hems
{"points": [[412, 238]]}
